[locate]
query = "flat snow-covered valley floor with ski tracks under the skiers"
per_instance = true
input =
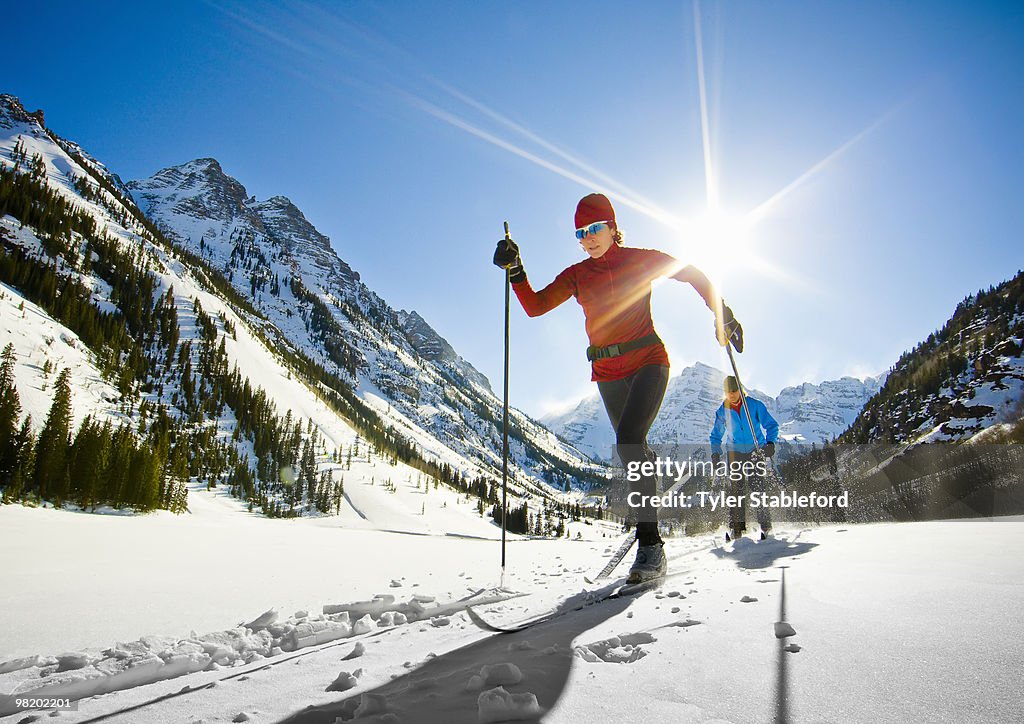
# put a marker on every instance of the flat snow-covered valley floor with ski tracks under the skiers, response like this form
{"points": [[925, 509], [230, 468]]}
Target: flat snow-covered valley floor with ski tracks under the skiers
{"points": [[894, 623]]}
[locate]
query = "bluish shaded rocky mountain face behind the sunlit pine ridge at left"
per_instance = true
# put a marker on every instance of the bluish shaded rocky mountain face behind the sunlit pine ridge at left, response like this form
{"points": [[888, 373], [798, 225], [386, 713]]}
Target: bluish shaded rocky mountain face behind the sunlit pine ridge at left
{"points": [[393, 359]]}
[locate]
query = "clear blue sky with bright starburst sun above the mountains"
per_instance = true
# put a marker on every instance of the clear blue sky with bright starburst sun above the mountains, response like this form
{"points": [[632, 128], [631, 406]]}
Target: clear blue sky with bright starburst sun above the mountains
{"points": [[865, 159]]}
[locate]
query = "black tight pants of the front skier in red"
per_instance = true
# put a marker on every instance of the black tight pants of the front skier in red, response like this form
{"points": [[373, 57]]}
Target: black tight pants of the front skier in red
{"points": [[633, 404]]}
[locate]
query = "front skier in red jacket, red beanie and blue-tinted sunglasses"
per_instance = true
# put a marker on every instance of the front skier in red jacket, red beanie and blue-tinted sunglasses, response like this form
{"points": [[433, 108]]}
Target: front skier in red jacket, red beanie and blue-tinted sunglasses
{"points": [[629, 362]]}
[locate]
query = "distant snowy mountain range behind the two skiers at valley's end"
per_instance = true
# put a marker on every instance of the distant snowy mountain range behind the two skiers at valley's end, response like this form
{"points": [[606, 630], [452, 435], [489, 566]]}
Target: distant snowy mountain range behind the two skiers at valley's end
{"points": [[807, 413]]}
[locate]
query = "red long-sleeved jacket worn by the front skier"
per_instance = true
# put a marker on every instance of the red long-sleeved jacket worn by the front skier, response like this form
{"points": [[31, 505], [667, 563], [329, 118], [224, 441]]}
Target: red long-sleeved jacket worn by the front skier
{"points": [[615, 294]]}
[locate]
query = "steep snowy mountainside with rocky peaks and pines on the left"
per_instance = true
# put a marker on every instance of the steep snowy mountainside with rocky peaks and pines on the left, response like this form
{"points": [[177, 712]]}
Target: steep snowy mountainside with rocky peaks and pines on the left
{"points": [[230, 334]]}
